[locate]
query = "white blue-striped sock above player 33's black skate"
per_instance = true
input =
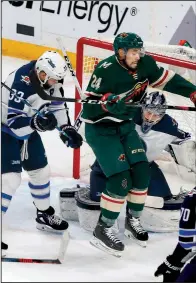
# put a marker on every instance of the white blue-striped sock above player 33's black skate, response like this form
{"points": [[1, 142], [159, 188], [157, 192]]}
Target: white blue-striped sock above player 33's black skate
{"points": [[40, 187]]}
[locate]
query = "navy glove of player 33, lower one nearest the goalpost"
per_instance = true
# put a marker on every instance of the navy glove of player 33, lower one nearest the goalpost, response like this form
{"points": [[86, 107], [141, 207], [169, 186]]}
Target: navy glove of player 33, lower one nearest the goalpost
{"points": [[74, 140]]}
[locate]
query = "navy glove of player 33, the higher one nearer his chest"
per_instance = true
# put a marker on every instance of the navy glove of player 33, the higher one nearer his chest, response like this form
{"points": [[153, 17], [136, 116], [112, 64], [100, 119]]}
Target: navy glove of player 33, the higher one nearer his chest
{"points": [[48, 123]]}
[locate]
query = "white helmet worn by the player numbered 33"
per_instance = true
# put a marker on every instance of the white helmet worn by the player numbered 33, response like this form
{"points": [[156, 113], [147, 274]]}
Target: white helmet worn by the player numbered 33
{"points": [[53, 64]]}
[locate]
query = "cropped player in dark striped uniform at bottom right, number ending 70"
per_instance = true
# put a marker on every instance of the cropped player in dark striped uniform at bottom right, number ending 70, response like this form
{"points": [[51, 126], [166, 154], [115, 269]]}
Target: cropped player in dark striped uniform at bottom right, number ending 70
{"points": [[172, 268]]}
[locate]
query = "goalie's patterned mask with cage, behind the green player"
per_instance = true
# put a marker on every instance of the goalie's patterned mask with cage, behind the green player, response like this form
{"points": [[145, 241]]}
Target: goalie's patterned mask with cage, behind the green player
{"points": [[152, 110]]}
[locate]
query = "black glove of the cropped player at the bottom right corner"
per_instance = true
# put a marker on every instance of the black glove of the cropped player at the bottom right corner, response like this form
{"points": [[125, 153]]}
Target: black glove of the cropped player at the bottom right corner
{"points": [[170, 269]]}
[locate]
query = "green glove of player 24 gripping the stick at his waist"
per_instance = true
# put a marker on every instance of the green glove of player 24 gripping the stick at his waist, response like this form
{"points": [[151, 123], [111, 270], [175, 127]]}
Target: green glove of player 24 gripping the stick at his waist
{"points": [[115, 104]]}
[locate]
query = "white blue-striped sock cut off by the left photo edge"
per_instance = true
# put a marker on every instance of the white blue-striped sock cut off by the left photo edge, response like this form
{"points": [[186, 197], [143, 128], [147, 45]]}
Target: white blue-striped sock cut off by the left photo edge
{"points": [[10, 183]]}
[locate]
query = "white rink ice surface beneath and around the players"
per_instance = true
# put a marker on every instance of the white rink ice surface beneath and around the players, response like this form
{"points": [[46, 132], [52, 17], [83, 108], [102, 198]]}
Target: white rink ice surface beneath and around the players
{"points": [[83, 262]]}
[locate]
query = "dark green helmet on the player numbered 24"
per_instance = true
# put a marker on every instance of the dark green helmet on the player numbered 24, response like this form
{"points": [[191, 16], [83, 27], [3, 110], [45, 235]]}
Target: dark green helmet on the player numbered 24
{"points": [[127, 40]]}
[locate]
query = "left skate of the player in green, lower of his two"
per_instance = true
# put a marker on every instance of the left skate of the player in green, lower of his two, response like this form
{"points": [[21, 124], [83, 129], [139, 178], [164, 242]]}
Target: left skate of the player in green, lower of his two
{"points": [[105, 239]]}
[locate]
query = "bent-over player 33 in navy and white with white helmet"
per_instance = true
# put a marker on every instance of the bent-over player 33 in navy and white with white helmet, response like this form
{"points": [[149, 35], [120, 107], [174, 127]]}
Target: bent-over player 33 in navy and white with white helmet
{"points": [[22, 146]]}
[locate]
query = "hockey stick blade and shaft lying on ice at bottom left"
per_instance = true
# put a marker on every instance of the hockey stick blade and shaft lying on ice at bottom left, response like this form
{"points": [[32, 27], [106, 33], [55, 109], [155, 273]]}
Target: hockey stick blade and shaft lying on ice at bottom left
{"points": [[59, 260]]}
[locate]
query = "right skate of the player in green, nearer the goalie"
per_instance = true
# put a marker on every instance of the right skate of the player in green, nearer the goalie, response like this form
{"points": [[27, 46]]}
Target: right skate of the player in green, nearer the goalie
{"points": [[134, 230]]}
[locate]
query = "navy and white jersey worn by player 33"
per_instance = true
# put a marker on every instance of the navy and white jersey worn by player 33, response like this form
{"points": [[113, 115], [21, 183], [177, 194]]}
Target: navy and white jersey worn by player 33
{"points": [[16, 115]]}
